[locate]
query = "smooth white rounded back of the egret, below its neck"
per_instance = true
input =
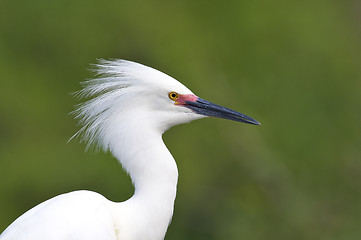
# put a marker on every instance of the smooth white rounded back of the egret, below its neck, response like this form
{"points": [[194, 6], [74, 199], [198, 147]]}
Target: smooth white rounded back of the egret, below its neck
{"points": [[75, 215]]}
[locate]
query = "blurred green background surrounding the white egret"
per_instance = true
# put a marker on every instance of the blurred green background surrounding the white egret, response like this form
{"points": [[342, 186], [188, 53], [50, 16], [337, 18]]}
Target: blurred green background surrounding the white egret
{"points": [[292, 65]]}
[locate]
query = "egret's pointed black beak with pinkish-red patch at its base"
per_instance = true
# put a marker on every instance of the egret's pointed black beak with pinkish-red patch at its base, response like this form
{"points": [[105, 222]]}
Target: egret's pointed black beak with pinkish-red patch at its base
{"points": [[203, 107]]}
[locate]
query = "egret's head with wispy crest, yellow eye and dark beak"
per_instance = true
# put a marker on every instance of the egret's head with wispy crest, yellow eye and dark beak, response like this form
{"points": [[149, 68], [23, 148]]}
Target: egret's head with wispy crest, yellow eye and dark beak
{"points": [[125, 92]]}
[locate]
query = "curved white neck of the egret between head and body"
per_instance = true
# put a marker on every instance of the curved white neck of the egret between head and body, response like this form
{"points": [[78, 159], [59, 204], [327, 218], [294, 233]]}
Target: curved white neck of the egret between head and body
{"points": [[154, 174]]}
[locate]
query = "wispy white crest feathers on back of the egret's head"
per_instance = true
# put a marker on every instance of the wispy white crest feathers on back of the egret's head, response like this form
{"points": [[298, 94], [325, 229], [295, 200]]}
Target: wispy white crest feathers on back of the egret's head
{"points": [[101, 94]]}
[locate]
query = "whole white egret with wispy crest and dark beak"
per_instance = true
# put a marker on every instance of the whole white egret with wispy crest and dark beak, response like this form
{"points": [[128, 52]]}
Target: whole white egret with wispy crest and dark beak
{"points": [[130, 107]]}
